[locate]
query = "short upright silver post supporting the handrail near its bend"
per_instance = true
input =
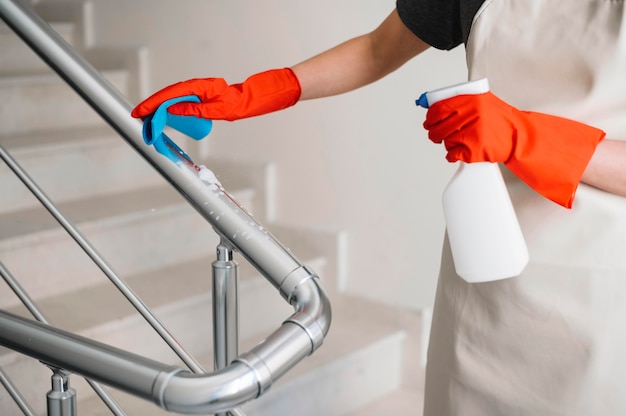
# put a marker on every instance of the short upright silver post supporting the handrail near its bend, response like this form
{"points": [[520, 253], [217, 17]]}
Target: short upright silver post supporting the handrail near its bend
{"points": [[225, 309]]}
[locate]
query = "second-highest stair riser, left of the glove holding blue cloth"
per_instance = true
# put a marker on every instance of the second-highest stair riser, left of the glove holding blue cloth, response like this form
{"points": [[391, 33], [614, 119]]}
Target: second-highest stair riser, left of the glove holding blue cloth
{"points": [[50, 103]]}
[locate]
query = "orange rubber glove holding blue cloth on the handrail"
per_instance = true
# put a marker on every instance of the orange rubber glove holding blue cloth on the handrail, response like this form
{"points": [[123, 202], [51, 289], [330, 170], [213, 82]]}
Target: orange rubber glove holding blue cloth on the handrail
{"points": [[260, 94]]}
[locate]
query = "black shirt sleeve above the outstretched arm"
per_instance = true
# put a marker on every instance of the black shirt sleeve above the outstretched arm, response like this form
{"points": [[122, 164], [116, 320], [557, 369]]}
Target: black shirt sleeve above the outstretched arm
{"points": [[443, 24]]}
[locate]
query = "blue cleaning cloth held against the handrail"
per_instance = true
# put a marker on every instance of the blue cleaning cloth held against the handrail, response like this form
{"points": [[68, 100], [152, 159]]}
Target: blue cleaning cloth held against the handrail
{"points": [[195, 127]]}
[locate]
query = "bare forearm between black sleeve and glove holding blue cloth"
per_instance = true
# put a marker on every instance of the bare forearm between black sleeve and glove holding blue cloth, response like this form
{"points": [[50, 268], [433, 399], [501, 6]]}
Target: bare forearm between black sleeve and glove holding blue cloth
{"points": [[359, 61]]}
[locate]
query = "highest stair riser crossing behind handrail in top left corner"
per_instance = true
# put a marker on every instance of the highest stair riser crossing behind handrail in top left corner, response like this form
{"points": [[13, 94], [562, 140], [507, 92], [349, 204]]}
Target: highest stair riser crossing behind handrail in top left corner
{"points": [[22, 58]]}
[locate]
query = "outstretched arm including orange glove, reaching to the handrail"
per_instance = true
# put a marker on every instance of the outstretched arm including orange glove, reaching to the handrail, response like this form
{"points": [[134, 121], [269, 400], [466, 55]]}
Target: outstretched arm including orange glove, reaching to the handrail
{"points": [[343, 68]]}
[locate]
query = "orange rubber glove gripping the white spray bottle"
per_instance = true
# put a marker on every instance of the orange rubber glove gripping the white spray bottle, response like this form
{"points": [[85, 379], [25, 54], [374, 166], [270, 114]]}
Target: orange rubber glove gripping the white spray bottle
{"points": [[549, 153]]}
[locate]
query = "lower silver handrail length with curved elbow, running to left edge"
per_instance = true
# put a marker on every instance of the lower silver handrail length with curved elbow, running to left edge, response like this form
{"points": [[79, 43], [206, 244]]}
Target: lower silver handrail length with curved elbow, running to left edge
{"points": [[174, 389]]}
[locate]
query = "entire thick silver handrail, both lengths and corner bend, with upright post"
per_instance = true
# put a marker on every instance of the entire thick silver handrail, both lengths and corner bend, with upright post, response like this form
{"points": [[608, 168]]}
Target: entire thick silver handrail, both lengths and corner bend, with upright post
{"points": [[239, 378]]}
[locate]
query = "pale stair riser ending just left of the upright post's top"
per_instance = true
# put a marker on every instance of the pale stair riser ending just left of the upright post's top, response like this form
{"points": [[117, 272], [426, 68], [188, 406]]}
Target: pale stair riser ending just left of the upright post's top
{"points": [[51, 263]]}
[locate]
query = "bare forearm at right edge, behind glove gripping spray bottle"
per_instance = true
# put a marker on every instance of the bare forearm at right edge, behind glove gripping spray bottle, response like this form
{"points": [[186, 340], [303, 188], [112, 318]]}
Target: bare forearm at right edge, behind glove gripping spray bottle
{"points": [[607, 167]]}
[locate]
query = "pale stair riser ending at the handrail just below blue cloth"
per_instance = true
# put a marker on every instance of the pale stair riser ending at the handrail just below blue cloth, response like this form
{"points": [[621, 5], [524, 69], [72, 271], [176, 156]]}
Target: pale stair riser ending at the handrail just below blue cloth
{"points": [[101, 166]]}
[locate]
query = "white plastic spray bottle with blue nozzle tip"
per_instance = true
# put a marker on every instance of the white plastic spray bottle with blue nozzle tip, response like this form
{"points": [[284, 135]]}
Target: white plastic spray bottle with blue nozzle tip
{"points": [[485, 237]]}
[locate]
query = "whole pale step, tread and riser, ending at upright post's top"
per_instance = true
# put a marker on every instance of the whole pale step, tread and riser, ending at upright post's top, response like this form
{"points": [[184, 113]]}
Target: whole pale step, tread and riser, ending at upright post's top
{"points": [[132, 230]]}
